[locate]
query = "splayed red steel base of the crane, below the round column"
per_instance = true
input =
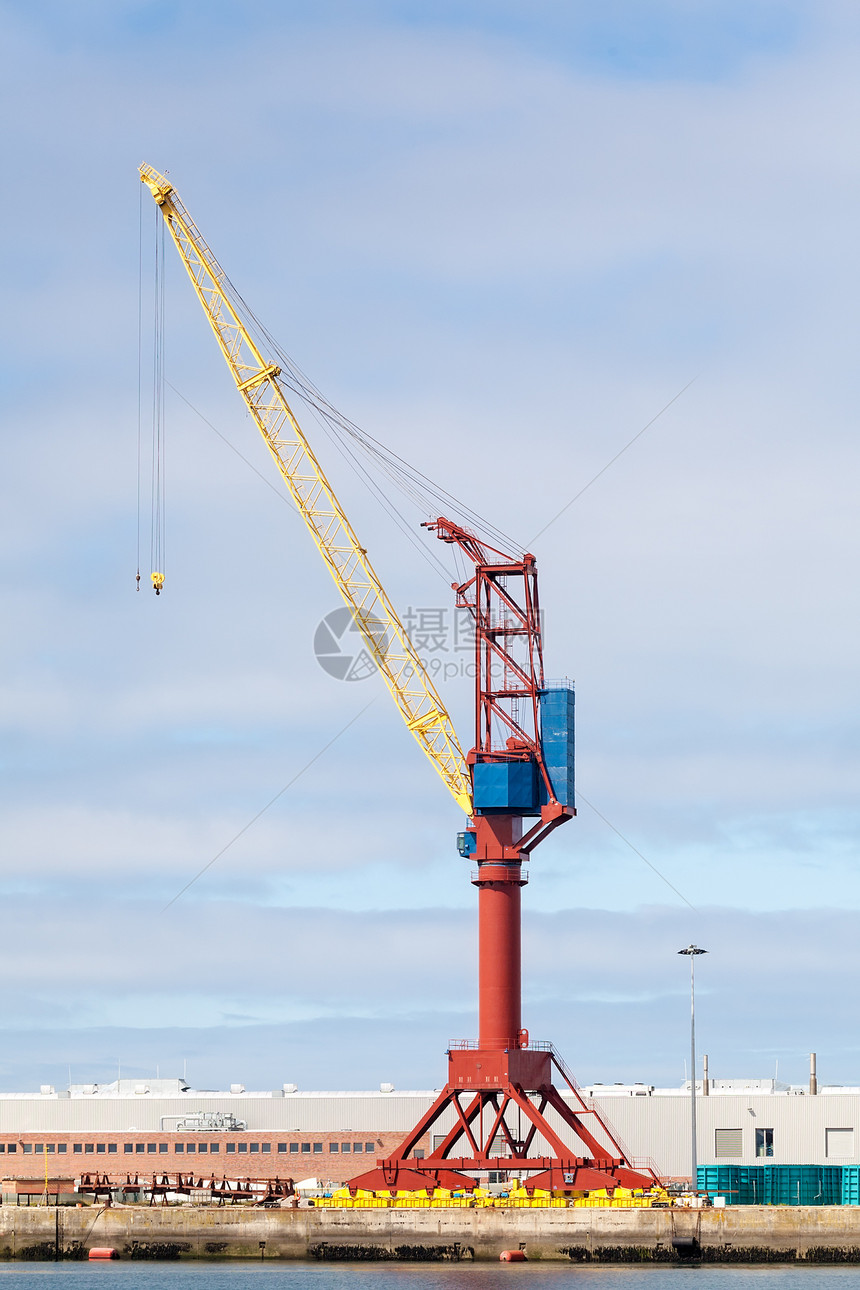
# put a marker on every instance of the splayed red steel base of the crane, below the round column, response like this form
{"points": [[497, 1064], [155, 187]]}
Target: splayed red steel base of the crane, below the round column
{"points": [[501, 1098]]}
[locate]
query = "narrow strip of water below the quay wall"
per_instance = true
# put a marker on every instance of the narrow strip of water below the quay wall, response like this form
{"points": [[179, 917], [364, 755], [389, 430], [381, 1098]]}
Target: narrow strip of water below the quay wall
{"points": [[485, 1276]]}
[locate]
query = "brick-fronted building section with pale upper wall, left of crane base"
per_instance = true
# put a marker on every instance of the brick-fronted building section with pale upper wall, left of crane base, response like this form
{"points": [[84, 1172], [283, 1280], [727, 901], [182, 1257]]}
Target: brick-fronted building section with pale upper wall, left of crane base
{"points": [[135, 1127]]}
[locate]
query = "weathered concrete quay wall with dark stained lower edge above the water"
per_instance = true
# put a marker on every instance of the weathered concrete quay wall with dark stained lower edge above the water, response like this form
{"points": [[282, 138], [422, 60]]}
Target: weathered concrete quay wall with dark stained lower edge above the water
{"points": [[734, 1235]]}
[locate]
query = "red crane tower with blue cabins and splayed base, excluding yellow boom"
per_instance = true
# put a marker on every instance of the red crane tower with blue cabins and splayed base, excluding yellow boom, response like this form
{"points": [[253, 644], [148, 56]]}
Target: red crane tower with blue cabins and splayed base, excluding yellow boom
{"points": [[509, 1115]]}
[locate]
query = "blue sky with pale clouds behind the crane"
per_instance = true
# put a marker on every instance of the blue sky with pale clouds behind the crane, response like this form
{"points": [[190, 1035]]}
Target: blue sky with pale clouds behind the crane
{"points": [[503, 239]]}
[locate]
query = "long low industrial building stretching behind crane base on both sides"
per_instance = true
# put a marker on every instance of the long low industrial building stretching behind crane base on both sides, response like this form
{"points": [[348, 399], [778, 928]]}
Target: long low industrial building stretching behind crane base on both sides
{"points": [[141, 1127]]}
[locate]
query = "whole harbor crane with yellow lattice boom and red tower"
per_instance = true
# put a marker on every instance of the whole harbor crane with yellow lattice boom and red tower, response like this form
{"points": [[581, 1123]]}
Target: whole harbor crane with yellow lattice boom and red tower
{"points": [[515, 785]]}
